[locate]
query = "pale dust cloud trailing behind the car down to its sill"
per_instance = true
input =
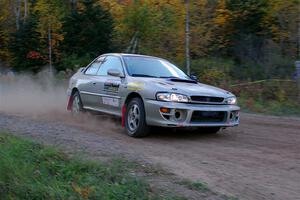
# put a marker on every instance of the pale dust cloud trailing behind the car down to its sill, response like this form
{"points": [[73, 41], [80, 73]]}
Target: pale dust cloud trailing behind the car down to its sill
{"points": [[43, 97]]}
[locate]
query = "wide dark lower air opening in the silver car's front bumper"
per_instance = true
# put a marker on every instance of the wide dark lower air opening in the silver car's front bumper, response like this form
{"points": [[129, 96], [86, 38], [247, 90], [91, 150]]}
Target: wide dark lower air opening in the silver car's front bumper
{"points": [[209, 116]]}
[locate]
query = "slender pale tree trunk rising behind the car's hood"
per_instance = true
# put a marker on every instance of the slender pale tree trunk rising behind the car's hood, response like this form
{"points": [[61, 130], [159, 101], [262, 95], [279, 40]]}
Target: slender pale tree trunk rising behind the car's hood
{"points": [[187, 38]]}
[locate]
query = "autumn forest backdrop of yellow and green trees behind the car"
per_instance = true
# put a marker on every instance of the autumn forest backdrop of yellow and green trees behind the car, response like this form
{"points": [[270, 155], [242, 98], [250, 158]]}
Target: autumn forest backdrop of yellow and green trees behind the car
{"points": [[230, 39]]}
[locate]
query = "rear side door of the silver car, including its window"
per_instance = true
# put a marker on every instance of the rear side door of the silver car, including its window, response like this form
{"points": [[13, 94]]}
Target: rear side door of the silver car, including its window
{"points": [[89, 87]]}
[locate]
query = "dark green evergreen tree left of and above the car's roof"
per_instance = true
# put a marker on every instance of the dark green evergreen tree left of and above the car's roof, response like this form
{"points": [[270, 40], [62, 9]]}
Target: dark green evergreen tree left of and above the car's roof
{"points": [[88, 31]]}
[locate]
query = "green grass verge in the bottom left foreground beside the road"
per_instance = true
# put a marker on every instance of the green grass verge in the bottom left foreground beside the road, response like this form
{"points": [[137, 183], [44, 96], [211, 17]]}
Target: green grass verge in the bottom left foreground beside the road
{"points": [[31, 171]]}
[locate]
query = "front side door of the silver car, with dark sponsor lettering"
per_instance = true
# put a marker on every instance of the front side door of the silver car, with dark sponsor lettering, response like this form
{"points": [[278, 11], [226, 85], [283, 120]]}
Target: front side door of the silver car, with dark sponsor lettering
{"points": [[110, 85]]}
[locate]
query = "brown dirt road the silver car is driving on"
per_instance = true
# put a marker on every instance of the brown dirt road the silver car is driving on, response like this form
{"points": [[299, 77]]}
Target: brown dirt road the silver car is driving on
{"points": [[260, 159]]}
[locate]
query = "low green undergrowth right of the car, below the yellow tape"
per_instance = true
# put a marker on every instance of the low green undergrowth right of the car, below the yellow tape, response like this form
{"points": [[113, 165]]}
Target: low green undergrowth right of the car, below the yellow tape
{"points": [[273, 97]]}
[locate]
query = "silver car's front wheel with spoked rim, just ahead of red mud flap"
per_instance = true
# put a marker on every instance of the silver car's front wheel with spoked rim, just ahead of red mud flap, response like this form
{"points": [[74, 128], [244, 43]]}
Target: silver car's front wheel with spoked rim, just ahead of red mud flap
{"points": [[135, 124]]}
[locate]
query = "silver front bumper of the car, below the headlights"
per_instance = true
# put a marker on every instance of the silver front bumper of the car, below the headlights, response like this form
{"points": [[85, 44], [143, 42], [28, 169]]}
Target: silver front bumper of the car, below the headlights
{"points": [[155, 117]]}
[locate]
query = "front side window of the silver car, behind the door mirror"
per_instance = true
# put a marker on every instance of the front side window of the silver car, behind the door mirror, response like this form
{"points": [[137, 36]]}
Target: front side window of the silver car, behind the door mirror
{"points": [[111, 62]]}
